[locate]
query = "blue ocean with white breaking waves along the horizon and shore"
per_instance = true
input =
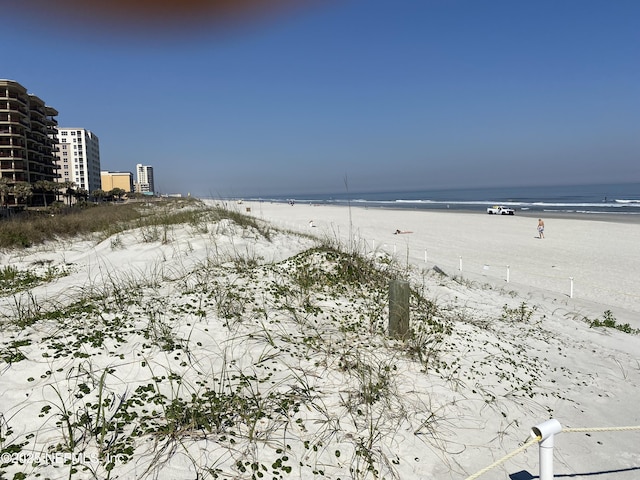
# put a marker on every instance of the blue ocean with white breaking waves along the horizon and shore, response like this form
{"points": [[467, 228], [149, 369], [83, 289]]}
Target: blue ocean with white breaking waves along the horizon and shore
{"points": [[616, 199]]}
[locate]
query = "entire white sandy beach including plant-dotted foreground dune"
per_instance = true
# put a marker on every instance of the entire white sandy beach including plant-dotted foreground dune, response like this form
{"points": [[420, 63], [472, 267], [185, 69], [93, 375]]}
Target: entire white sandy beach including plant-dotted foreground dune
{"points": [[215, 349]]}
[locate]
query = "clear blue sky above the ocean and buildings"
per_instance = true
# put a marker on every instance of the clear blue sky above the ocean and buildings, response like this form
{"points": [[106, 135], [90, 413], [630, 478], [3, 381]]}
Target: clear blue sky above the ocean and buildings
{"points": [[361, 95]]}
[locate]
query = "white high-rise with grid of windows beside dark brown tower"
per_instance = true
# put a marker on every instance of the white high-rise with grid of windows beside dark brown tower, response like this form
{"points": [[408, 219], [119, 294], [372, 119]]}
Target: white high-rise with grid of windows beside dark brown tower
{"points": [[79, 158]]}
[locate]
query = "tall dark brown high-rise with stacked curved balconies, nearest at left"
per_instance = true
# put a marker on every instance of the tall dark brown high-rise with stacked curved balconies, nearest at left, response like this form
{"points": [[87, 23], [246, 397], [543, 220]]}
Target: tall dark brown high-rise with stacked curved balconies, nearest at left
{"points": [[28, 142]]}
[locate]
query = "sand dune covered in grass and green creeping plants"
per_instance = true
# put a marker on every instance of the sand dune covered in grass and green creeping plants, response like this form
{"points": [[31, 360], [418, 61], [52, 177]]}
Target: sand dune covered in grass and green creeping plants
{"points": [[241, 365]]}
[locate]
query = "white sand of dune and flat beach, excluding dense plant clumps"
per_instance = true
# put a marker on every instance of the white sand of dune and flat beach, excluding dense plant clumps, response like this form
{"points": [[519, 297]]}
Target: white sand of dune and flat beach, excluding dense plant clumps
{"points": [[495, 377]]}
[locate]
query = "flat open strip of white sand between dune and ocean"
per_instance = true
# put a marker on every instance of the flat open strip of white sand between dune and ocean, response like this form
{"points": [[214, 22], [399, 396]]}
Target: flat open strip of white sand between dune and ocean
{"points": [[585, 263]]}
